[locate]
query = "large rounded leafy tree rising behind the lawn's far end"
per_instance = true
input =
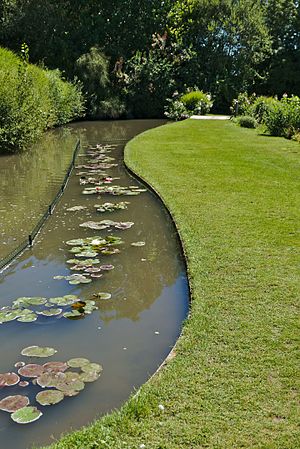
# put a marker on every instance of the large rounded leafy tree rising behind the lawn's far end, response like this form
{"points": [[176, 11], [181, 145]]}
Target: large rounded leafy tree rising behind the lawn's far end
{"points": [[230, 40]]}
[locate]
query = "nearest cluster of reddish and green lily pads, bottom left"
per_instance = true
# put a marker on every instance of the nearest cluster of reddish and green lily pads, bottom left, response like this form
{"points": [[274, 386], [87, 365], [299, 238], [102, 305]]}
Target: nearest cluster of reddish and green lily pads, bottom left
{"points": [[57, 379]]}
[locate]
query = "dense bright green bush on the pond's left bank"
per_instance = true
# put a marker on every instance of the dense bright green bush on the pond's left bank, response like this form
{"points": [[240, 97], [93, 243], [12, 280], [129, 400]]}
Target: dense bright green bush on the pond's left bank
{"points": [[32, 100]]}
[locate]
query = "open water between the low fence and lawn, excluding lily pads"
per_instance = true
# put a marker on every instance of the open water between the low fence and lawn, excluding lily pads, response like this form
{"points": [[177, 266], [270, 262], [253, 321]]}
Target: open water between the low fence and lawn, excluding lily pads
{"points": [[129, 334]]}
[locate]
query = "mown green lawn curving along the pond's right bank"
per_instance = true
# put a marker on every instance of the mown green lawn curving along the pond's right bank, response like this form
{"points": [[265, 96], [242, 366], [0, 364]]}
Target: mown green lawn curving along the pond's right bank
{"points": [[235, 196]]}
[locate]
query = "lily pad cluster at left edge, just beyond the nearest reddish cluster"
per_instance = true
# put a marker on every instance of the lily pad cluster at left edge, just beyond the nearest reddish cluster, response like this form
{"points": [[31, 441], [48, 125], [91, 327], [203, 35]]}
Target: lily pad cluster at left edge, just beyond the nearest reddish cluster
{"points": [[29, 309]]}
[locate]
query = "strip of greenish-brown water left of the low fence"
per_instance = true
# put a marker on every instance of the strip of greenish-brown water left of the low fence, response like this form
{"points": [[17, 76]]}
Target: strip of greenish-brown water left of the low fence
{"points": [[28, 183]]}
